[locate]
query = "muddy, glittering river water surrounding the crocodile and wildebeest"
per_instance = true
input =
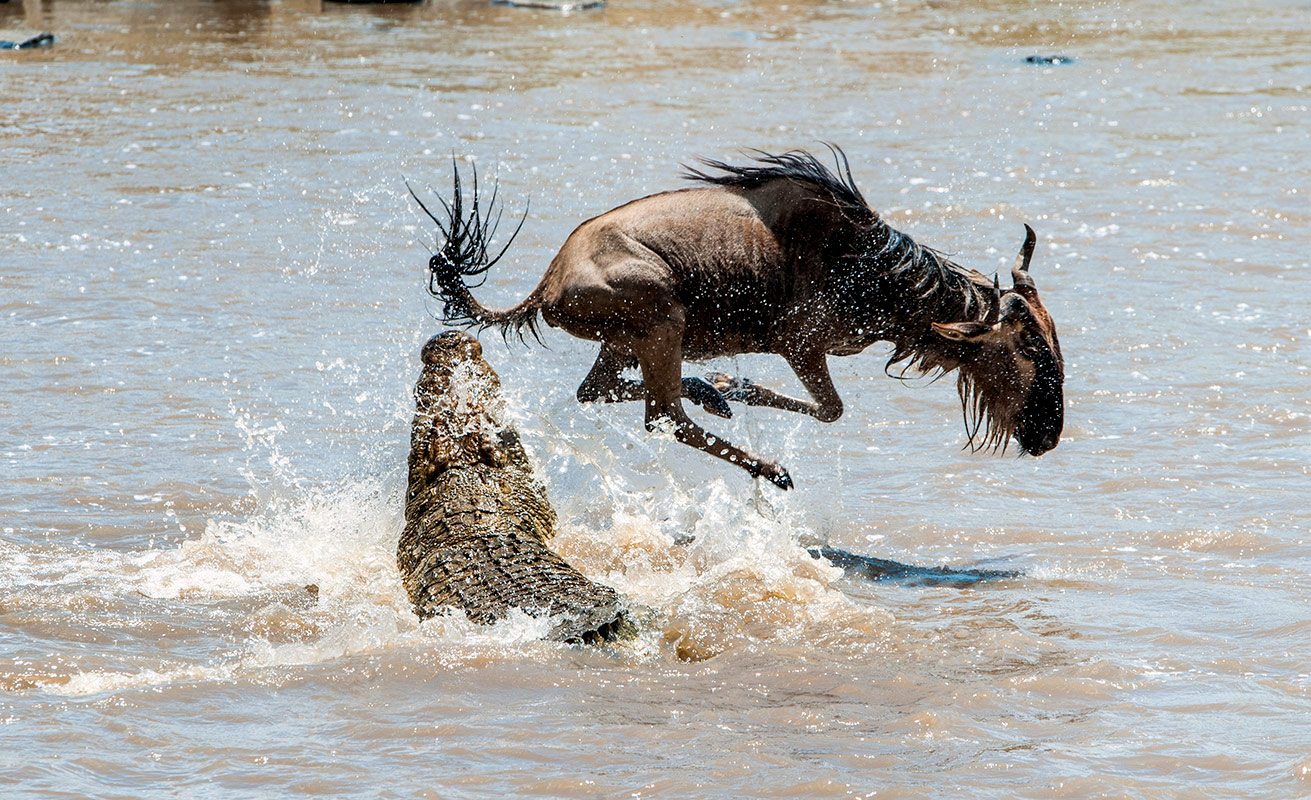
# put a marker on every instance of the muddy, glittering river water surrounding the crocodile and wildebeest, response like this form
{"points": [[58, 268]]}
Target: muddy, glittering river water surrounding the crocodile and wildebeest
{"points": [[212, 302]]}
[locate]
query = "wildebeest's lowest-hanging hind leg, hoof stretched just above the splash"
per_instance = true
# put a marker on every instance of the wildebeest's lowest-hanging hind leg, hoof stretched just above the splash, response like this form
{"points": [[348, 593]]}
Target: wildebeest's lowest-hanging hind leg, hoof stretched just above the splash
{"points": [[661, 360]]}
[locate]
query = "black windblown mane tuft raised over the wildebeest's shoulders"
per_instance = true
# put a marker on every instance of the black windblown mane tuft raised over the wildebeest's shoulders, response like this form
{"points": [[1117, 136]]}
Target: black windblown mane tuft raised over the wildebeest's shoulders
{"points": [[792, 166]]}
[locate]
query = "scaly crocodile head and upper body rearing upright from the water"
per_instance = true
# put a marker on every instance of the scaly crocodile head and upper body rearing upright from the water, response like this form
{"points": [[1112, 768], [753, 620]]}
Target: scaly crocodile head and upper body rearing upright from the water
{"points": [[478, 520]]}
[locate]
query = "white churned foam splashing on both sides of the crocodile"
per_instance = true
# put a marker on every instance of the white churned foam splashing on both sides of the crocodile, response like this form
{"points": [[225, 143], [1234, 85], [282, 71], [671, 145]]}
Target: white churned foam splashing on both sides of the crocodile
{"points": [[741, 578]]}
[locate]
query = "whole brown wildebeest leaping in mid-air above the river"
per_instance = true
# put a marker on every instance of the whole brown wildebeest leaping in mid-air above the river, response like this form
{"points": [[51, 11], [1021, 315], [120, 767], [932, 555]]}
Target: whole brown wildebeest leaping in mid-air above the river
{"points": [[781, 256]]}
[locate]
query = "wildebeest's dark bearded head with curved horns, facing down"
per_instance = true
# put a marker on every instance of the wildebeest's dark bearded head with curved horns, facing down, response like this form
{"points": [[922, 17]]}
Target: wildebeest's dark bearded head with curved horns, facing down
{"points": [[1011, 370]]}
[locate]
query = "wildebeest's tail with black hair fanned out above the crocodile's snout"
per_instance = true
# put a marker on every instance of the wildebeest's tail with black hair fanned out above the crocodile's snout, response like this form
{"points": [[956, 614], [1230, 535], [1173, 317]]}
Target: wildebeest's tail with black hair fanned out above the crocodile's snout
{"points": [[465, 256]]}
